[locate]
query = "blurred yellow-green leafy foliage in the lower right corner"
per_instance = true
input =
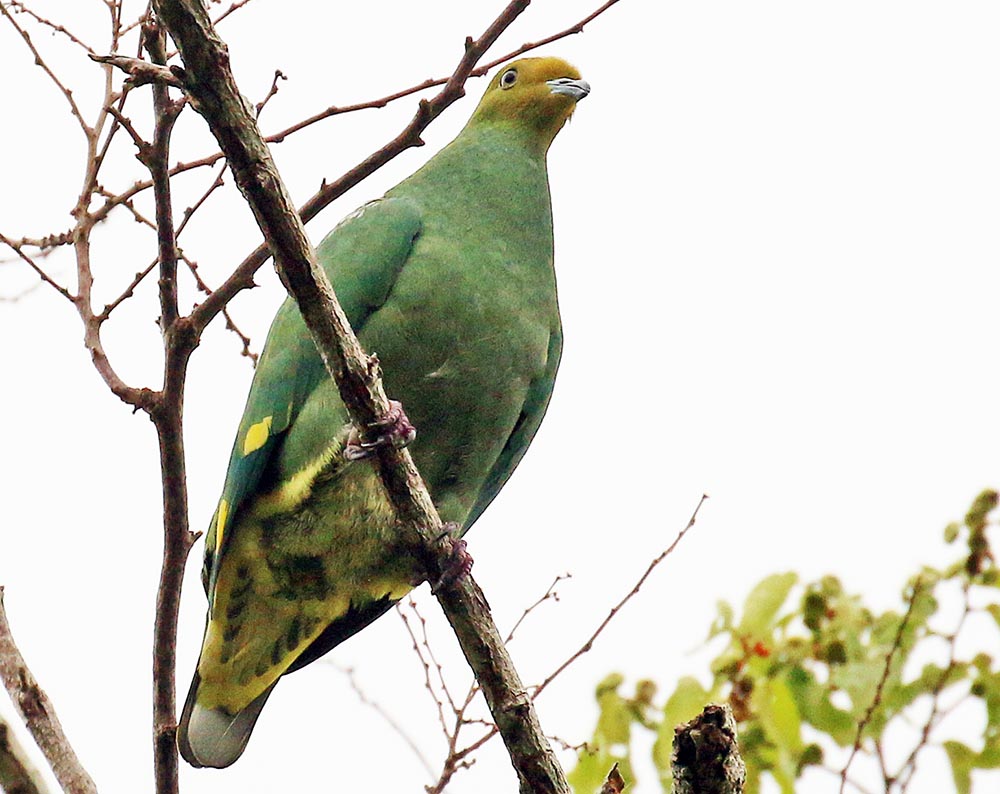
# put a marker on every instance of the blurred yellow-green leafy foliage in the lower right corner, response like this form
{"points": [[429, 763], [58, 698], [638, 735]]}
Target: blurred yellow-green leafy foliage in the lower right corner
{"points": [[815, 677]]}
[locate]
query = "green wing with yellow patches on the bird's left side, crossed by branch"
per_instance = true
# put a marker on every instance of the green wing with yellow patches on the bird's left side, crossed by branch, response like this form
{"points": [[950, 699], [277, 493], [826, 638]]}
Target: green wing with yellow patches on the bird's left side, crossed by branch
{"points": [[362, 257]]}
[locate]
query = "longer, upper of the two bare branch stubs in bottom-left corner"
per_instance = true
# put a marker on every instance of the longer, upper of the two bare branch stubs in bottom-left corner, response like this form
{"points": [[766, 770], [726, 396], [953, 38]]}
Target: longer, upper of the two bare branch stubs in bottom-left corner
{"points": [[39, 715]]}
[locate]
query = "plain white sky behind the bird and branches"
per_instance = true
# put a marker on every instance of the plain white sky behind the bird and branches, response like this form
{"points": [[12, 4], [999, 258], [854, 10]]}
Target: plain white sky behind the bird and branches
{"points": [[777, 251]]}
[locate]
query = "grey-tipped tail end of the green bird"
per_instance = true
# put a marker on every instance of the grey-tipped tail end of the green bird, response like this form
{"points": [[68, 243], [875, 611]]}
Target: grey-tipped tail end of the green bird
{"points": [[214, 737]]}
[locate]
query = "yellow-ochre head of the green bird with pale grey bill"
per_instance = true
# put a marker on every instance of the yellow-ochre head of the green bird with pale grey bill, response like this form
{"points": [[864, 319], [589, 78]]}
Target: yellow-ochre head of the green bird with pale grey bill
{"points": [[537, 94]]}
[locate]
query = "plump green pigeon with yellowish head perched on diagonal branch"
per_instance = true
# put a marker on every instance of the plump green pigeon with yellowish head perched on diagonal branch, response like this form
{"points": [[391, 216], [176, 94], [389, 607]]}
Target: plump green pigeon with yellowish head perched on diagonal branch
{"points": [[449, 279]]}
